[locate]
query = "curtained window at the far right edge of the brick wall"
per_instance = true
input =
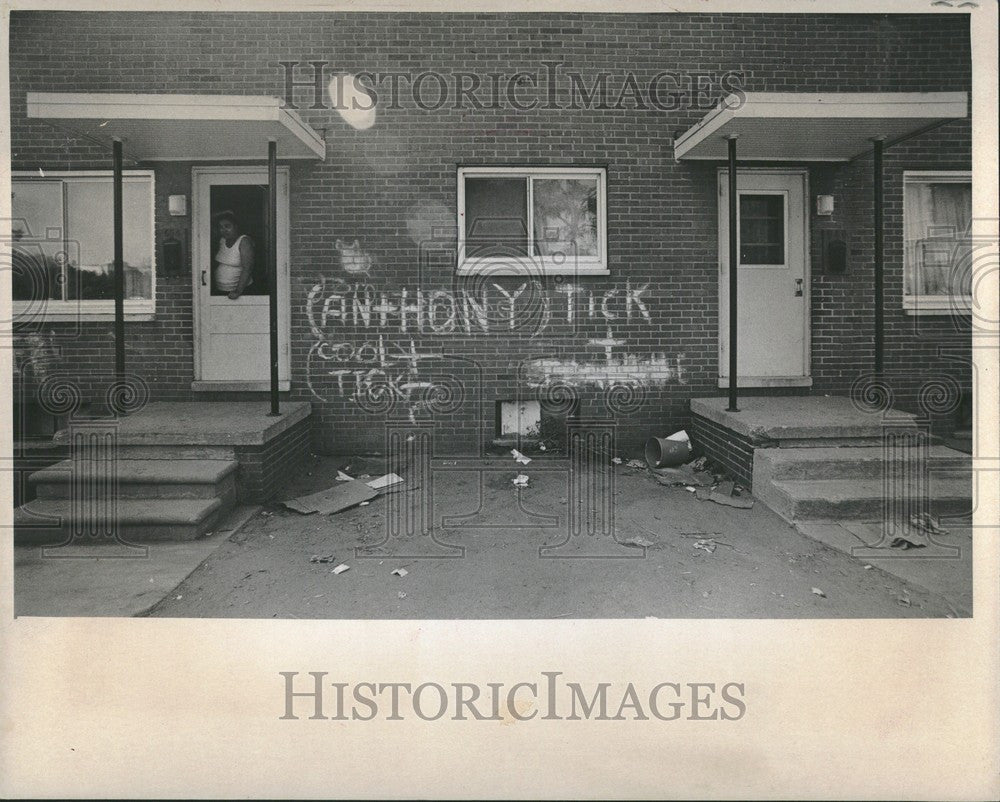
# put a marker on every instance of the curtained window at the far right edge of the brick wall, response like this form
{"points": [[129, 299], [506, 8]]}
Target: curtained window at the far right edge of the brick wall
{"points": [[937, 211]]}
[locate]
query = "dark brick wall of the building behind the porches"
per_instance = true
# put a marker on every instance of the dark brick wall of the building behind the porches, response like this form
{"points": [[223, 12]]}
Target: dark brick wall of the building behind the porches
{"points": [[385, 185]]}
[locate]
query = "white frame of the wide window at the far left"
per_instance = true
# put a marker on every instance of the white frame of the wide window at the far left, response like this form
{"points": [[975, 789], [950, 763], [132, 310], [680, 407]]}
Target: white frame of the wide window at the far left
{"points": [[82, 309]]}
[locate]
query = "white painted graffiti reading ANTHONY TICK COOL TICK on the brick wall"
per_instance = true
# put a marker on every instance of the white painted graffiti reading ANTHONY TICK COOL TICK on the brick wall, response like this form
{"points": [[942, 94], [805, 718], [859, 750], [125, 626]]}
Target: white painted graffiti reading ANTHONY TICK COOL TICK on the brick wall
{"points": [[384, 370]]}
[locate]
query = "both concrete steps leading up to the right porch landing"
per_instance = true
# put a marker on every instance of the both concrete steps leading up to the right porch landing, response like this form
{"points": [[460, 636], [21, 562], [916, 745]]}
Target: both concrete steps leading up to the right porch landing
{"points": [[830, 484]]}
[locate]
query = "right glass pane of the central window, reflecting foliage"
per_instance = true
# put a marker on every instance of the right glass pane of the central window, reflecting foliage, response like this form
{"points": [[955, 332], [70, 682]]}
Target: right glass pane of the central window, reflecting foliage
{"points": [[565, 216]]}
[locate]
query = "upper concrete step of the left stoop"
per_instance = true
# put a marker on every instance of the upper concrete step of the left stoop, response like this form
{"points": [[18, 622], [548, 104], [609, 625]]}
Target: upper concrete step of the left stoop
{"points": [[141, 479]]}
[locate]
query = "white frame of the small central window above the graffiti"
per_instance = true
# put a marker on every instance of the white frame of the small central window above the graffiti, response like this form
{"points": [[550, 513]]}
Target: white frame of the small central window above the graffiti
{"points": [[541, 265]]}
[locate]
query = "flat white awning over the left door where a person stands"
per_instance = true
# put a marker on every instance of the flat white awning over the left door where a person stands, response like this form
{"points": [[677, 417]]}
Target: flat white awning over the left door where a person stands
{"points": [[182, 127]]}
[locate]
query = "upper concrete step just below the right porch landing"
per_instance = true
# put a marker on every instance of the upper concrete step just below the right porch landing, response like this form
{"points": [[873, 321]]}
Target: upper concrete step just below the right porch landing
{"points": [[775, 464]]}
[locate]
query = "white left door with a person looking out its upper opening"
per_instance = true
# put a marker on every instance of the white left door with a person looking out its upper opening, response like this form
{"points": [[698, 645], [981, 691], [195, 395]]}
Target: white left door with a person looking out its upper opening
{"points": [[232, 345]]}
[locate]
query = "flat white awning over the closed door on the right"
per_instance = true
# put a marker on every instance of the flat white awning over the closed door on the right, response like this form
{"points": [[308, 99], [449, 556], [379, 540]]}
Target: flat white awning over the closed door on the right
{"points": [[794, 126]]}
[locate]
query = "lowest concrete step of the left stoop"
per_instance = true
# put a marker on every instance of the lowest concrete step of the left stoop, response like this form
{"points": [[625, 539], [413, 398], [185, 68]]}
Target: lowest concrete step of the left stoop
{"points": [[139, 520]]}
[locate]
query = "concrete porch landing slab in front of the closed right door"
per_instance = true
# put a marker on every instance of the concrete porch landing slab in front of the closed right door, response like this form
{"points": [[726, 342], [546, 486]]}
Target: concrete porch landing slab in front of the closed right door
{"points": [[799, 420]]}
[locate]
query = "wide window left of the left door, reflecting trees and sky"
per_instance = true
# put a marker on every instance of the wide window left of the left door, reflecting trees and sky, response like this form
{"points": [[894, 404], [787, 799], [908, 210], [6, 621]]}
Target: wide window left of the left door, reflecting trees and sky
{"points": [[63, 249]]}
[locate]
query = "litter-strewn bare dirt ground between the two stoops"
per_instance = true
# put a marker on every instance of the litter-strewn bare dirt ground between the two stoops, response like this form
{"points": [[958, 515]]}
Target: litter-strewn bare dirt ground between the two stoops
{"points": [[489, 565]]}
